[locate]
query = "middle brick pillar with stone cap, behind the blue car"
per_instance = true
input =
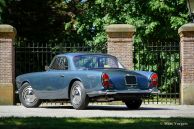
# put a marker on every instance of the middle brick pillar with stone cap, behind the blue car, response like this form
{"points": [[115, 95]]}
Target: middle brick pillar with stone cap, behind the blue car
{"points": [[120, 43]]}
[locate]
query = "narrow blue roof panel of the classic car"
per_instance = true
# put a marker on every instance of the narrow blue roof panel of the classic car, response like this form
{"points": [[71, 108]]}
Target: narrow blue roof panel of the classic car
{"points": [[80, 54]]}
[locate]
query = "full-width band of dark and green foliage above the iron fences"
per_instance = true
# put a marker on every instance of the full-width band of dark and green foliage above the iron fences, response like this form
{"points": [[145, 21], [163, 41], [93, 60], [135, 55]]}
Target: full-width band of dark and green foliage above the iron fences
{"points": [[85, 20]]}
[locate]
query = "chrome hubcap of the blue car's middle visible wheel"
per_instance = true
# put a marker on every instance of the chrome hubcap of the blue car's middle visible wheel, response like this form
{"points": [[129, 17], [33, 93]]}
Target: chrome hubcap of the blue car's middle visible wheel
{"points": [[76, 95]]}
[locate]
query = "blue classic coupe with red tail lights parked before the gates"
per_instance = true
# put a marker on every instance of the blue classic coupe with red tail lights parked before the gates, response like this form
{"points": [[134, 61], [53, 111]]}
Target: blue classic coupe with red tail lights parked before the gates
{"points": [[82, 77]]}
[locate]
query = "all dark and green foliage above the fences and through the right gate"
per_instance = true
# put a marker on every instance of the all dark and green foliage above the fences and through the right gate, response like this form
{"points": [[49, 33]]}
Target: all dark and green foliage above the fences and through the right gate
{"points": [[84, 21]]}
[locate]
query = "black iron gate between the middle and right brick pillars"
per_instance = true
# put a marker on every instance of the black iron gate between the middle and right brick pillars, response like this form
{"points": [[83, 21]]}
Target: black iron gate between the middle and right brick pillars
{"points": [[163, 58]]}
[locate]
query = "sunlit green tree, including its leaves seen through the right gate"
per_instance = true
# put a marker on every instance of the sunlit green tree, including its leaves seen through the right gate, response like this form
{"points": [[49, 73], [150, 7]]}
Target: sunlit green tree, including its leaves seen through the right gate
{"points": [[157, 21]]}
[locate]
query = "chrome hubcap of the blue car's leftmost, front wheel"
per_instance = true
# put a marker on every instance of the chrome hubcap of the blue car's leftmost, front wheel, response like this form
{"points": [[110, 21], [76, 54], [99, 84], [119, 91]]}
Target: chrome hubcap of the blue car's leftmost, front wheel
{"points": [[28, 95]]}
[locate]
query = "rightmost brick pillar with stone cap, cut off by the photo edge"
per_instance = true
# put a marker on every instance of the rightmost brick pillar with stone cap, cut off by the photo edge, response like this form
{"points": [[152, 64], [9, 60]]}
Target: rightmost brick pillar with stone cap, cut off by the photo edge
{"points": [[186, 33]]}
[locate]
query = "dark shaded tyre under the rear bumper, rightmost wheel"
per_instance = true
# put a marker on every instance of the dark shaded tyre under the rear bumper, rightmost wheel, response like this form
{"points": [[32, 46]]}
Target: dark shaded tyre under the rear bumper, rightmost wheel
{"points": [[133, 103]]}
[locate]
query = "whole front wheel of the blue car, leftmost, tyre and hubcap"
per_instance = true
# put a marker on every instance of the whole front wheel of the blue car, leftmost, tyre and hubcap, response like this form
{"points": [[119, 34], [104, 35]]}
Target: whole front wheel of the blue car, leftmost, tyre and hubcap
{"points": [[27, 96]]}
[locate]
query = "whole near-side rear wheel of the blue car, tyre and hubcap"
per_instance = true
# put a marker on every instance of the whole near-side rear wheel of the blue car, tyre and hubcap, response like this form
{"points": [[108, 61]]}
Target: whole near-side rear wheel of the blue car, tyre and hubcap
{"points": [[78, 97]]}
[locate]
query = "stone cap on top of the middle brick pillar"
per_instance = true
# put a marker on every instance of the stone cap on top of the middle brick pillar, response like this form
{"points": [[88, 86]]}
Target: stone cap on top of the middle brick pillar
{"points": [[120, 28]]}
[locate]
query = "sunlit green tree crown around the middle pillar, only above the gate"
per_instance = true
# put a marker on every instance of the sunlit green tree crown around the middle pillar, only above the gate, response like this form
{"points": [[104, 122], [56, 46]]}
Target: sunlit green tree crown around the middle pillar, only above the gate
{"points": [[152, 18]]}
